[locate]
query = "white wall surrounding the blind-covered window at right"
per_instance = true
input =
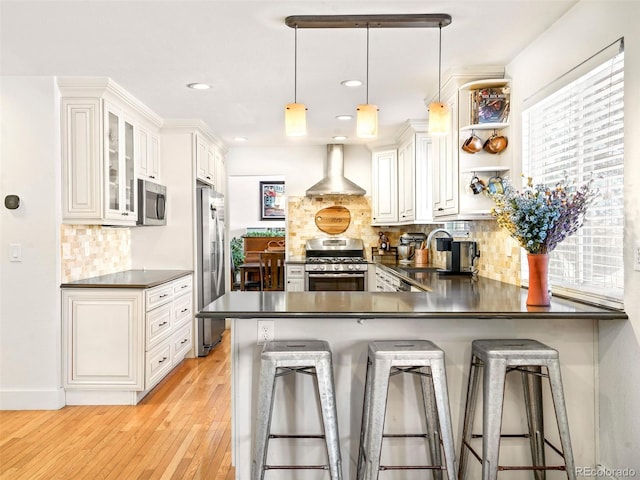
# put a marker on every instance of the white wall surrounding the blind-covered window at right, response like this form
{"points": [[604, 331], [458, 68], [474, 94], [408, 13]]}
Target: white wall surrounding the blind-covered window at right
{"points": [[584, 30]]}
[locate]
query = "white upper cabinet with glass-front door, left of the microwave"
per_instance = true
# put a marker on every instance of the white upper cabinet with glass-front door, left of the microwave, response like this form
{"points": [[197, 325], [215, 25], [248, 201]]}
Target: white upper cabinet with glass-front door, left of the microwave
{"points": [[102, 149]]}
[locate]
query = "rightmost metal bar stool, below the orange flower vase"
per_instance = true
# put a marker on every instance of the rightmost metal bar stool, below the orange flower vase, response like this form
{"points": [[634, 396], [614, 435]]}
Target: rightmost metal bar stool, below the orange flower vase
{"points": [[497, 358]]}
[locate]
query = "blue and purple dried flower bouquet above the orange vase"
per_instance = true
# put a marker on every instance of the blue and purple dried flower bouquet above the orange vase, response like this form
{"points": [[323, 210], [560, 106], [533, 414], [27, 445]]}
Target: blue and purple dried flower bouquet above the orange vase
{"points": [[539, 217]]}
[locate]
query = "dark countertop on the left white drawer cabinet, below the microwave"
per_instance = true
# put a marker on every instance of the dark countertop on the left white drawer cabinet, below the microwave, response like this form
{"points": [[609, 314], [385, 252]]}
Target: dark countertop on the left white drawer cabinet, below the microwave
{"points": [[129, 279]]}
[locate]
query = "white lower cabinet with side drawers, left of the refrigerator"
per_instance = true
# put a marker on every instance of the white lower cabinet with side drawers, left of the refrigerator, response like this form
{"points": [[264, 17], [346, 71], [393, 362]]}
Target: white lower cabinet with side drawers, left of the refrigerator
{"points": [[119, 343]]}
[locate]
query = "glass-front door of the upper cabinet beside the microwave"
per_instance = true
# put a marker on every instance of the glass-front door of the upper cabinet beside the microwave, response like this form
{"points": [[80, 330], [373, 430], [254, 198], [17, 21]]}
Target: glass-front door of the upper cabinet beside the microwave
{"points": [[120, 164]]}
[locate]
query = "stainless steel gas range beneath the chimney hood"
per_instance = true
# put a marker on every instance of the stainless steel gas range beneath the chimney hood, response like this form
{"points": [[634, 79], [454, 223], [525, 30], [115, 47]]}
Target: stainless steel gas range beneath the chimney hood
{"points": [[335, 264]]}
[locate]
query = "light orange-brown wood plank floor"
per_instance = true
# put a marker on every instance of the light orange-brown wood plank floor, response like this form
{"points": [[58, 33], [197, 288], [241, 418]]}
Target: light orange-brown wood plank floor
{"points": [[180, 430]]}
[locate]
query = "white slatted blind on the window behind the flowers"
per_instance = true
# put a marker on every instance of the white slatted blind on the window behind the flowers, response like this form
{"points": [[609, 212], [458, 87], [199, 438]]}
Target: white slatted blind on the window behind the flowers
{"points": [[577, 131]]}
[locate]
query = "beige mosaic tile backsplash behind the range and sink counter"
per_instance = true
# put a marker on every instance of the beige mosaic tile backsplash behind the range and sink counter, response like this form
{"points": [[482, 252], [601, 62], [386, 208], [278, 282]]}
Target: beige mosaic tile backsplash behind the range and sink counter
{"points": [[499, 255]]}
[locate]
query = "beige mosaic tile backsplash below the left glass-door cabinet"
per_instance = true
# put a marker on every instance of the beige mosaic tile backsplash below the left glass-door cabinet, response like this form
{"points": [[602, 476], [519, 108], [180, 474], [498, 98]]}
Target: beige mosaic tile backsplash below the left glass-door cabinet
{"points": [[93, 250]]}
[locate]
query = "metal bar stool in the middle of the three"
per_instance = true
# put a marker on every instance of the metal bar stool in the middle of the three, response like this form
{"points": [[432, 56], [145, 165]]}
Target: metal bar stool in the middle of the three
{"points": [[418, 357]]}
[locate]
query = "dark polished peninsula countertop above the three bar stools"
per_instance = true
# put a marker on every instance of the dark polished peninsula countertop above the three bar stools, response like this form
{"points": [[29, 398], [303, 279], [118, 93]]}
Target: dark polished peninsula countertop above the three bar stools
{"points": [[454, 299]]}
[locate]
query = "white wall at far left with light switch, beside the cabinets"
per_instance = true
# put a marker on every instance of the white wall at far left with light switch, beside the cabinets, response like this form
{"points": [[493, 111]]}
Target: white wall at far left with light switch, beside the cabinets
{"points": [[30, 327]]}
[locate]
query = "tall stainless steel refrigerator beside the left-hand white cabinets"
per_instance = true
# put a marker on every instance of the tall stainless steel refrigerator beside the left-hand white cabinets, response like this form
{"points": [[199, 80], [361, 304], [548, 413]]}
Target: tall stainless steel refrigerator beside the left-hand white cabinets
{"points": [[211, 276]]}
